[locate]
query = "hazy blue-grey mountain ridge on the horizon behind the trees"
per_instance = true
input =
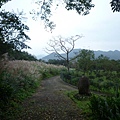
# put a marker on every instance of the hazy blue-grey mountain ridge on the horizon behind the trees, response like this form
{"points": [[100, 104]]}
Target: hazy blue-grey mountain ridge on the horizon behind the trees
{"points": [[110, 54]]}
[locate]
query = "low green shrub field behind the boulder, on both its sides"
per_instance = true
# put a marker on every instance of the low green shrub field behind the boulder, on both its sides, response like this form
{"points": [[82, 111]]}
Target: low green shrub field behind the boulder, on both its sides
{"points": [[98, 80]]}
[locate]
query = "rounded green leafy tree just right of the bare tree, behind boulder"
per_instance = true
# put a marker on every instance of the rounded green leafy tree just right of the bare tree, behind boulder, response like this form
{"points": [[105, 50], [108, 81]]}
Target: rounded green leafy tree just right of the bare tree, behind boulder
{"points": [[84, 60]]}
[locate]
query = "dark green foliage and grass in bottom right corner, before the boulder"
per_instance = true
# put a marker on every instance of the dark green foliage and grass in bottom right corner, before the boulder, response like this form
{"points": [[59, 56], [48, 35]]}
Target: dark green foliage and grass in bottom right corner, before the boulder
{"points": [[97, 107]]}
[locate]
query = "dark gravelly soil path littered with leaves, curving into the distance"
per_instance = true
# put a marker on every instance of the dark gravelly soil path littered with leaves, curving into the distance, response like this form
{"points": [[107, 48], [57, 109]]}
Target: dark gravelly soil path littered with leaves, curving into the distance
{"points": [[49, 103]]}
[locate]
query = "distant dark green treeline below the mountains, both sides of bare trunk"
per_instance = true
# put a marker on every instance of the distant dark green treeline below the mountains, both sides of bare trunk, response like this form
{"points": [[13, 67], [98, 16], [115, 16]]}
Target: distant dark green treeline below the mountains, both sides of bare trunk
{"points": [[85, 61]]}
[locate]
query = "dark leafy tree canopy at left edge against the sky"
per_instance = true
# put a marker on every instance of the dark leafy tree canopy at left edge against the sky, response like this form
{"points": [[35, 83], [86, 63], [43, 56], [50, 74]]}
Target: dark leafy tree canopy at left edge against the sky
{"points": [[12, 31]]}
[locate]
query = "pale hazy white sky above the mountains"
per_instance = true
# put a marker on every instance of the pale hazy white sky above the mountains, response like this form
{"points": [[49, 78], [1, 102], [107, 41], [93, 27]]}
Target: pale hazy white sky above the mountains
{"points": [[100, 28]]}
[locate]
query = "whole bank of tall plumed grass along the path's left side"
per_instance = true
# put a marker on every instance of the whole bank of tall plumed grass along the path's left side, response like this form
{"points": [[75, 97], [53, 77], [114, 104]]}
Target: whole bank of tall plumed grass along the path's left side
{"points": [[18, 79]]}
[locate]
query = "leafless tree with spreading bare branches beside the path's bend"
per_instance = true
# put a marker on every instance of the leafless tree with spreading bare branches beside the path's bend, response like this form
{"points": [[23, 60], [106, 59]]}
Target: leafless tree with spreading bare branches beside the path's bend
{"points": [[62, 45]]}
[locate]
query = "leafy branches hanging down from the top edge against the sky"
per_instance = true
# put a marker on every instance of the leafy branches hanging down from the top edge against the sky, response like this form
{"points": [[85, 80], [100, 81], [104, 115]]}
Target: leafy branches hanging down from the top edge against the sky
{"points": [[83, 7]]}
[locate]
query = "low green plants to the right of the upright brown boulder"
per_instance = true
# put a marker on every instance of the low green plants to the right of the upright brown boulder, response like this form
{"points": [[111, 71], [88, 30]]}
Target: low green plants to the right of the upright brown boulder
{"points": [[106, 82]]}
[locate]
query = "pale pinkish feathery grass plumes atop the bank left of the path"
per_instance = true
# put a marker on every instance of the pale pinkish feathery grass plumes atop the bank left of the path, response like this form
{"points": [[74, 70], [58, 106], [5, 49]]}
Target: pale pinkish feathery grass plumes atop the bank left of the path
{"points": [[33, 69]]}
